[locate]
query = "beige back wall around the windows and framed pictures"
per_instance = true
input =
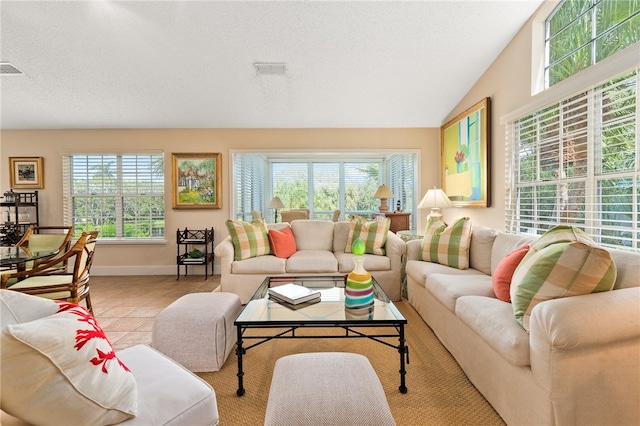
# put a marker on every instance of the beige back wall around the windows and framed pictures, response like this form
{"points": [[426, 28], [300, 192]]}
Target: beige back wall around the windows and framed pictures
{"points": [[153, 259]]}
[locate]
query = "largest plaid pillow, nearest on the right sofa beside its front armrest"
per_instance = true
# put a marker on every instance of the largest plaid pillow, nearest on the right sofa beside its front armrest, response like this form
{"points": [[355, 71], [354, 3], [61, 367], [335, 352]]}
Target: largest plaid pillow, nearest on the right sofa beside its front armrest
{"points": [[563, 262]]}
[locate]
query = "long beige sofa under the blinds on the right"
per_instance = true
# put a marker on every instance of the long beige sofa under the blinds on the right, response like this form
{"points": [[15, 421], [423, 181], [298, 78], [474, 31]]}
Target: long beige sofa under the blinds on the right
{"points": [[580, 363]]}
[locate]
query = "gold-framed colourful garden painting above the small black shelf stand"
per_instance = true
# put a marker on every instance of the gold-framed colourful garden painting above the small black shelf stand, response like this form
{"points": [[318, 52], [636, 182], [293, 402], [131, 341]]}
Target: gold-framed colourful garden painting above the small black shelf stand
{"points": [[196, 180]]}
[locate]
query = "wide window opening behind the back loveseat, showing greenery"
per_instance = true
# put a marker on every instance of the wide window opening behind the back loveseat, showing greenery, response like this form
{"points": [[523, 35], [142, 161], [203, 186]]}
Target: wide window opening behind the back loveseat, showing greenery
{"points": [[344, 182]]}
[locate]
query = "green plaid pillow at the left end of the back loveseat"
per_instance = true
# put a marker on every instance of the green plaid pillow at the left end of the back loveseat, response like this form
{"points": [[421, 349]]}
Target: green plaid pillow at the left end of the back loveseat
{"points": [[250, 239]]}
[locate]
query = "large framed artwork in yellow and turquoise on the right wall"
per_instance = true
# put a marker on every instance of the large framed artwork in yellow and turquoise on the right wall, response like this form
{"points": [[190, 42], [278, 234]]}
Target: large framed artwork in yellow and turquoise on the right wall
{"points": [[464, 150]]}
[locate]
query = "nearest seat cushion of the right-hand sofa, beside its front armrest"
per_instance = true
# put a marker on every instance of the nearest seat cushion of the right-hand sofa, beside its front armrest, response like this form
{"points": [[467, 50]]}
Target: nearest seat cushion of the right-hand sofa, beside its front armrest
{"points": [[492, 320]]}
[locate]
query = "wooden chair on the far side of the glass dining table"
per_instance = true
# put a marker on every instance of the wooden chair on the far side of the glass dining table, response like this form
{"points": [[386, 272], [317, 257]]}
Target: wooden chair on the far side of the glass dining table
{"points": [[39, 238]]}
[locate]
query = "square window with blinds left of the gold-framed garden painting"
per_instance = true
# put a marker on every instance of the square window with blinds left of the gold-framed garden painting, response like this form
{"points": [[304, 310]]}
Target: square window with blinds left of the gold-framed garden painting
{"points": [[121, 195]]}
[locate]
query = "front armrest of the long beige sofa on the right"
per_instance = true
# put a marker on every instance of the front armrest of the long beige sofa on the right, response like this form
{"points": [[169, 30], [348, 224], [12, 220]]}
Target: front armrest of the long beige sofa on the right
{"points": [[585, 348]]}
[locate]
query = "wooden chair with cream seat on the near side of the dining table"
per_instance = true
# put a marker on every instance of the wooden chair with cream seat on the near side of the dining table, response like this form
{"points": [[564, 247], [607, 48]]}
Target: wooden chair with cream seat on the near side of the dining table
{"points": [[70, 286]]}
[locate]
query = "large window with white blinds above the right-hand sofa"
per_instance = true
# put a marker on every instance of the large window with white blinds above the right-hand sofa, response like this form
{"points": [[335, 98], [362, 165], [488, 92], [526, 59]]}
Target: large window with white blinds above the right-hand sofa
{"points": [[576, 162]]}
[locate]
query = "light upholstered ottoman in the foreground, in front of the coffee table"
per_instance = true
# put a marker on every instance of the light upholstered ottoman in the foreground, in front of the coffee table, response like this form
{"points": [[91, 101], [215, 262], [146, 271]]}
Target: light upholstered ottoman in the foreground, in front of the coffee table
{"points": [[326, 388]]}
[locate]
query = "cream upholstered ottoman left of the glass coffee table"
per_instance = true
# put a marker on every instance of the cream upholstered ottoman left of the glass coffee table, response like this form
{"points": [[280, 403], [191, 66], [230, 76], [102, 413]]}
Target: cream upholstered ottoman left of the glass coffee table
{"points": [[197, 330]]}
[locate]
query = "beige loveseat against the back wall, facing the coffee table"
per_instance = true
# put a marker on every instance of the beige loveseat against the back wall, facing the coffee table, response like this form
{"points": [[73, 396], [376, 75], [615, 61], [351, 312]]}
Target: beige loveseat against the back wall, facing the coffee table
{"points": [[320, 248]]}
